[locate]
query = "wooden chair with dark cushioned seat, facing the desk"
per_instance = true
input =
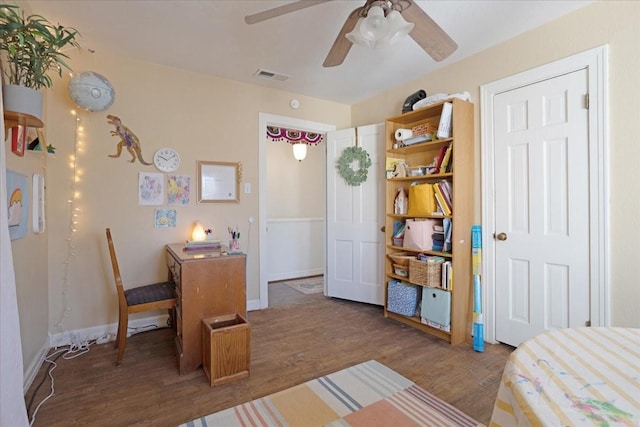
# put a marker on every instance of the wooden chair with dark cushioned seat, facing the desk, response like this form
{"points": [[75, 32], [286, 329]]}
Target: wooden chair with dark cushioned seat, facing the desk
{"points": [[157, 296]]}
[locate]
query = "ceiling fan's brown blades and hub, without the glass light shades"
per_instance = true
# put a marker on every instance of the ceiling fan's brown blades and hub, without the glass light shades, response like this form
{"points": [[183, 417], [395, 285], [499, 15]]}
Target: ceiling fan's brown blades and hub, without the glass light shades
{"points": [[426, 32]]}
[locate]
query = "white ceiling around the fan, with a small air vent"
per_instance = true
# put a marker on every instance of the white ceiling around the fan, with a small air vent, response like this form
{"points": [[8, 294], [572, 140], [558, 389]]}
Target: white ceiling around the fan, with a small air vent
{"points": [[211, 37]]}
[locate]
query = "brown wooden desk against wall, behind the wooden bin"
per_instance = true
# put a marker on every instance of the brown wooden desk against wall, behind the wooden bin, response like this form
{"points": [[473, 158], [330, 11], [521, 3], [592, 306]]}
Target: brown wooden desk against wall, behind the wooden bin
{"points": [[207, 284]]}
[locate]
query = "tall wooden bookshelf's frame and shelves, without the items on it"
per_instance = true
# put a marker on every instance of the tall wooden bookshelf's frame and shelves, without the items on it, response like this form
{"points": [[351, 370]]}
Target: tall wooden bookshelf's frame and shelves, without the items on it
{"points": [[461, 177]]}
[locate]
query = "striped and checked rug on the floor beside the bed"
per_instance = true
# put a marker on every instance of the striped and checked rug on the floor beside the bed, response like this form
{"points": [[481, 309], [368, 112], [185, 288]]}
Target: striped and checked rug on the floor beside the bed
{"points": [[368, 394]]}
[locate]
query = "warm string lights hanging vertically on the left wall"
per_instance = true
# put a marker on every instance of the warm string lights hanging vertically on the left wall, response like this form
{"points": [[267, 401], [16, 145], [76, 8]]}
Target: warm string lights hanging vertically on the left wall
{"points": [[73, 220]]}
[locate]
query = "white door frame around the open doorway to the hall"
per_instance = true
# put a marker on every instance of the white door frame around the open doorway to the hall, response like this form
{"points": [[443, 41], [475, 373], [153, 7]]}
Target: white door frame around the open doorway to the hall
{"points": [[286, 122]]}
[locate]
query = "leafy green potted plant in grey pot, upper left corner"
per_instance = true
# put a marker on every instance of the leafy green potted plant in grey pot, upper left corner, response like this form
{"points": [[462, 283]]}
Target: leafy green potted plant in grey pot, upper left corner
{"points": [[31, 48]]}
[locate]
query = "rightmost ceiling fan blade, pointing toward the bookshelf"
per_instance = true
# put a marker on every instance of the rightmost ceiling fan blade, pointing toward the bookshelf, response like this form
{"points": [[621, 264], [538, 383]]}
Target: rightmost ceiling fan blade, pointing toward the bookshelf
{"points": [[433, 39]]}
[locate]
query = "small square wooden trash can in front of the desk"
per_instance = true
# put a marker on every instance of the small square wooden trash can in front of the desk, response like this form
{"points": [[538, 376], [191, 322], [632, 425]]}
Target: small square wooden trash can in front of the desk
{"points": [[226, 348]]}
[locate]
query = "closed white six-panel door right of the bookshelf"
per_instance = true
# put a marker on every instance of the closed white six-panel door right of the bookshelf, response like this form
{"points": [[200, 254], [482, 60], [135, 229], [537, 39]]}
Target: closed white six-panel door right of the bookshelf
{"points": [[541, 207]]}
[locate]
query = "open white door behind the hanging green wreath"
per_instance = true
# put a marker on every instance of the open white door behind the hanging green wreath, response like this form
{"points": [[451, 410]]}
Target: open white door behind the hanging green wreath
{"points": [[355, 243]]}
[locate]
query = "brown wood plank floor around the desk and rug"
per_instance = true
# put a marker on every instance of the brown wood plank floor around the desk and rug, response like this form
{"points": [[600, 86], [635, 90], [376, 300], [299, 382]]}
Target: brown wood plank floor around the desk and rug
{"points": [[300, 337]]}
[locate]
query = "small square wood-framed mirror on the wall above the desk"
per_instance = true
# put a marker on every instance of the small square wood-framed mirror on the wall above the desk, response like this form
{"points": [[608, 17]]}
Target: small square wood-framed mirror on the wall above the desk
{"points": [[219, 182]]}
